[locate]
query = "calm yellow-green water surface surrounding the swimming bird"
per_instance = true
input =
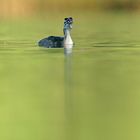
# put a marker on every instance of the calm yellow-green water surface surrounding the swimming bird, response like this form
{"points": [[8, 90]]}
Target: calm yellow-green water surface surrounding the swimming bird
{"points": [[92, 95]]}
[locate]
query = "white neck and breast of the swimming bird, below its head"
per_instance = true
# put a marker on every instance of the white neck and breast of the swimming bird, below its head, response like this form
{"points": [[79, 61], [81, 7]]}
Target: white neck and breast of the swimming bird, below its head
{"points": [[67, 38]]}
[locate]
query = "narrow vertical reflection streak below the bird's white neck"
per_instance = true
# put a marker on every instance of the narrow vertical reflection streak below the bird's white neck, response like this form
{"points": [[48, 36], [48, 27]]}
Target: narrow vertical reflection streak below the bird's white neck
{"points": [[68, 94]]}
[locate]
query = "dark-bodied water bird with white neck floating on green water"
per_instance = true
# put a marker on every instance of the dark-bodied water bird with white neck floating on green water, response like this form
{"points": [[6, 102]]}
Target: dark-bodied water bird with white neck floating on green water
{"points": [[56, 41]]}
